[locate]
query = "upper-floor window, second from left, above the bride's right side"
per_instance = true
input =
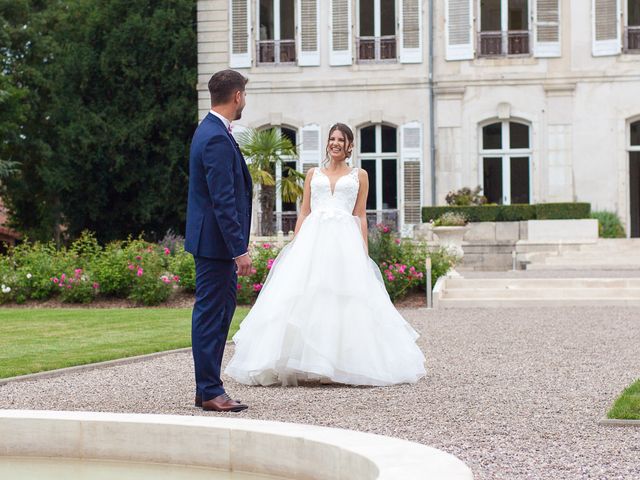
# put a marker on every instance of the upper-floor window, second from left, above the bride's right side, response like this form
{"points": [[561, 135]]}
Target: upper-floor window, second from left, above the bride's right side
{"points": [[377, 31]]}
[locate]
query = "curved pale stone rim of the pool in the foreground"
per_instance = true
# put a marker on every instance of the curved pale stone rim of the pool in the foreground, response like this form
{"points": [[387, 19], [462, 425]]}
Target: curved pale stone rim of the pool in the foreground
{"points": [[280, 449]]}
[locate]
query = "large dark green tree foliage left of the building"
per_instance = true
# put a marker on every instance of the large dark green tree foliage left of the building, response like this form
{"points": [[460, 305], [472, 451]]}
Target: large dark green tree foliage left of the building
{"points": [[110, 89]]}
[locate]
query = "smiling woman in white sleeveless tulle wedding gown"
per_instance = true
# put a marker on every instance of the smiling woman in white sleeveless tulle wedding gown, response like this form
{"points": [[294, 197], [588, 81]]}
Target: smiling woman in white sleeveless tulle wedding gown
{"points": [[323, 313]]}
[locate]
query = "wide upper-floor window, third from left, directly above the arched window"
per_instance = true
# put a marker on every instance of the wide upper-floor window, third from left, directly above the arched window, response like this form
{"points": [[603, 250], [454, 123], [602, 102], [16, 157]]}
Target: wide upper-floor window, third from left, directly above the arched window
{"points": [[504, 27]]}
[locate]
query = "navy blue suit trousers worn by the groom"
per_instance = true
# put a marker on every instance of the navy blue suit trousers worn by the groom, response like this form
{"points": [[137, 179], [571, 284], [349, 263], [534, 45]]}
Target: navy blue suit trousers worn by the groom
{"points": [[215, 304]]}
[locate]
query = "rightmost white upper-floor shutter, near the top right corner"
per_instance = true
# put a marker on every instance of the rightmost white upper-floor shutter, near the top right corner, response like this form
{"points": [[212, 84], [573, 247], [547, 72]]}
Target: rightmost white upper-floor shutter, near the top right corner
{"points": [[606, 27]]}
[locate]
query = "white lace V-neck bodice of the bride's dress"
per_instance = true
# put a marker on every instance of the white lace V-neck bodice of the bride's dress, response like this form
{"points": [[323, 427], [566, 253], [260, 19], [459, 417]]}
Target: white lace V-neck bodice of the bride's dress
{"points": [[342, 198]]}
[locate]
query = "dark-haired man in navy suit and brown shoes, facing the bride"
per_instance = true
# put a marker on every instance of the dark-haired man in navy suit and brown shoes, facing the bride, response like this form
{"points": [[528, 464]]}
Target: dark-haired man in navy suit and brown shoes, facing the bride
{"points": [[217, 234]]}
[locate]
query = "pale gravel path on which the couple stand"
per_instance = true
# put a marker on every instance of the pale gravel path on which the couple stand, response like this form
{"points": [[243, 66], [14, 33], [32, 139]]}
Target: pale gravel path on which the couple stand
{"points": [[516, 394]]}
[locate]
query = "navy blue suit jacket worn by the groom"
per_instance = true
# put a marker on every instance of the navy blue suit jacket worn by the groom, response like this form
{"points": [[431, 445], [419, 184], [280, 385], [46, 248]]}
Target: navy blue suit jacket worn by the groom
{"points": [[220, 193]]}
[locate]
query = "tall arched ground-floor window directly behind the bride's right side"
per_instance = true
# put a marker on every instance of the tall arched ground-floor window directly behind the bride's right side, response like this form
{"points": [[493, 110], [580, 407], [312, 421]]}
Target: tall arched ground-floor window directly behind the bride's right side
{"points": [[379, 157]]}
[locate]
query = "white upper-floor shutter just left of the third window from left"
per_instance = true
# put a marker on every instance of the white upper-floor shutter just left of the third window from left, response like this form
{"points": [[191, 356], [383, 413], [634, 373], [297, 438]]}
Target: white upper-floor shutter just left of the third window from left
{"points": [[459, 29]]}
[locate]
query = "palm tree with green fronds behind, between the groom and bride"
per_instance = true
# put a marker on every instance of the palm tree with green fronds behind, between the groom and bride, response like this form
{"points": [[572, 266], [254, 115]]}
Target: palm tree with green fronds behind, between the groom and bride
{"points": [[266, 149]]}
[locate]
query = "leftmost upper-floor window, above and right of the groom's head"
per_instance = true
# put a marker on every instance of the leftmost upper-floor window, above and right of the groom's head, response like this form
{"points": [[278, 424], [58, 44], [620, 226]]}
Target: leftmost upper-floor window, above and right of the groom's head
{"points": [[276, 20]]}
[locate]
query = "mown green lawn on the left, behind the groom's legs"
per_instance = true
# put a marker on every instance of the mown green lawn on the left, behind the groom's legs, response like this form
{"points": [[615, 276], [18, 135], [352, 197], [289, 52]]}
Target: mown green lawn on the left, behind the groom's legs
{"points": [[35, 340]]}
